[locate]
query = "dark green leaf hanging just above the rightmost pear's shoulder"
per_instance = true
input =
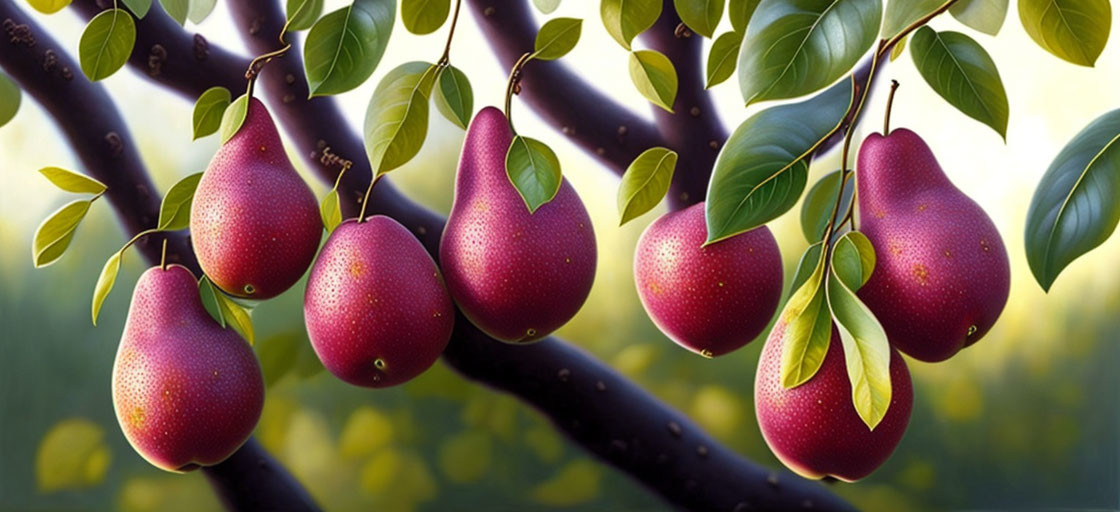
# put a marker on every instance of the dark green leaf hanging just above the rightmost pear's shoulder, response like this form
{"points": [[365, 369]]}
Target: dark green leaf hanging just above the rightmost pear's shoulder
{"points": [[960, 71]]}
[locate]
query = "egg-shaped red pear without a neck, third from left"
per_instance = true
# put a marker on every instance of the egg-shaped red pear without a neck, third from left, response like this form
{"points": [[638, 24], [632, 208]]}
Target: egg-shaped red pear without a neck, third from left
{"points": [[376, 309]]}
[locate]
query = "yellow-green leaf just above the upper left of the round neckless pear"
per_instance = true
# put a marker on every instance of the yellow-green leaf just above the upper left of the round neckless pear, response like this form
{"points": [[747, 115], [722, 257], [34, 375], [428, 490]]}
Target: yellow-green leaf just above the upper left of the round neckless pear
{"points": [[646, 183]]}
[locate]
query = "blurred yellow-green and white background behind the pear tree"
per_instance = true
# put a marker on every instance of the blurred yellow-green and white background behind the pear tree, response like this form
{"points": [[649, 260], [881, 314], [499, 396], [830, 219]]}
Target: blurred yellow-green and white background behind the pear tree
{"points": [[1029, 418]]}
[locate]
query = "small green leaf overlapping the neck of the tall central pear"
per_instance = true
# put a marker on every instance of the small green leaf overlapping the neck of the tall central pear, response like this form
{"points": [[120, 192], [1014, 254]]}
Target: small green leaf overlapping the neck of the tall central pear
{"points": [[535, 171]]}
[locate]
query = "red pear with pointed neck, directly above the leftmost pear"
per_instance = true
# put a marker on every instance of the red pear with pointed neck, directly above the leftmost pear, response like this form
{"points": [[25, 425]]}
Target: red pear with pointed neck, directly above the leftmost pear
{"points": [[255, 224]]}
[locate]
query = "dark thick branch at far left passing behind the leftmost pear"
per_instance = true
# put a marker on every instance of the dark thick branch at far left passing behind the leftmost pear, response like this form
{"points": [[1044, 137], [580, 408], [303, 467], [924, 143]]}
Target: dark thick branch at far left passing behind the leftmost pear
{"points": [[251, 479]]}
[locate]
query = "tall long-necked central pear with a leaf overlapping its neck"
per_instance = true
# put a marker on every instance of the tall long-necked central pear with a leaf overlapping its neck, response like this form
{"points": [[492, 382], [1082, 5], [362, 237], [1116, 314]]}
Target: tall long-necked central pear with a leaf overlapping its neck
{"points": [[517, 276]]}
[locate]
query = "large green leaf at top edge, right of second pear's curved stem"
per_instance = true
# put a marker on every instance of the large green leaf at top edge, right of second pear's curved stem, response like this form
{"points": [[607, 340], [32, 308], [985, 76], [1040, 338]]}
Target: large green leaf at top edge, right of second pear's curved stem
{"points": [[346, 46]]}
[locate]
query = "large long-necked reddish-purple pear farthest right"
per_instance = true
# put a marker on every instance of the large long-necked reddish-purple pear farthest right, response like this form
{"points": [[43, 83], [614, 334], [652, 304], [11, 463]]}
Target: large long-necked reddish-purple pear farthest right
{"points": [[942, 275]]}
